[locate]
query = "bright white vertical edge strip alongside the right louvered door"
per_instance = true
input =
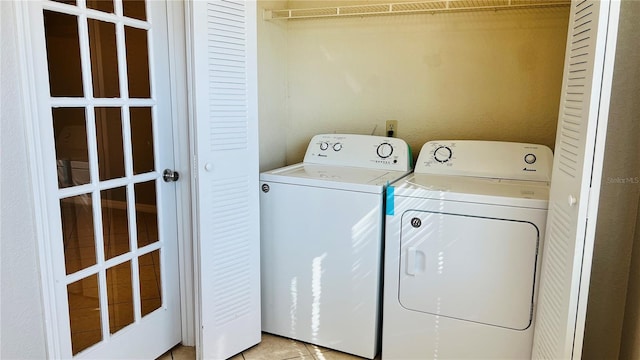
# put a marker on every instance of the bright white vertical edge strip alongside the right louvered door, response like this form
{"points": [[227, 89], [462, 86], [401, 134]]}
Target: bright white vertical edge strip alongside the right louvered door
{"points": [[596, 175]]}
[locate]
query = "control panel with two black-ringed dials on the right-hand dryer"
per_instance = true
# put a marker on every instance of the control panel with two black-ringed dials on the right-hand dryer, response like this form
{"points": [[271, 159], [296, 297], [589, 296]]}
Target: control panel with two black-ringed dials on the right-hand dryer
{"points": [[491, 159]]}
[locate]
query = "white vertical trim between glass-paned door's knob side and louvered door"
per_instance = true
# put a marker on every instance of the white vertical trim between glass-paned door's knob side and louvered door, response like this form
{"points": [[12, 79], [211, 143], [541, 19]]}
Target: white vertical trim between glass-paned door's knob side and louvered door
{"points": [[182, 158]]}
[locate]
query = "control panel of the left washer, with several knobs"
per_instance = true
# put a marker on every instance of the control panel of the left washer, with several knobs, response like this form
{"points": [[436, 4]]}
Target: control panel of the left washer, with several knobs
{"points": [[368, 151]]}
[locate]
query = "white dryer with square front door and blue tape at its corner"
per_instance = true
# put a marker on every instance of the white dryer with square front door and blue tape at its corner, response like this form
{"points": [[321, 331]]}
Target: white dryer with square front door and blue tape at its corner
{"points": [[462, 251]]}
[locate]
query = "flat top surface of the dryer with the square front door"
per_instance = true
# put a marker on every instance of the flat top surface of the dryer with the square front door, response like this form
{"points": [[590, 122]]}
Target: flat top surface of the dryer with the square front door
{"points": [[534, 194]]}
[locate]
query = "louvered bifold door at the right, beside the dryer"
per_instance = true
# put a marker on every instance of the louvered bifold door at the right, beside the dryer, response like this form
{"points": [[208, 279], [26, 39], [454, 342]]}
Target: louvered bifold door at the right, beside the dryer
{"points": [[562, 263]]}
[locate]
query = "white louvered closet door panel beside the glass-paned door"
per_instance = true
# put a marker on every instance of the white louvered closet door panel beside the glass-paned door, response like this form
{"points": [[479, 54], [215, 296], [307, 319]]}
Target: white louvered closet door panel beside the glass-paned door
{"points": [[224, 59]]}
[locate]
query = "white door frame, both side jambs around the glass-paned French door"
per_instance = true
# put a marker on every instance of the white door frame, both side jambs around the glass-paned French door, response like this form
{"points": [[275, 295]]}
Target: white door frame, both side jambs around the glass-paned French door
{"points": [[182, 158]]}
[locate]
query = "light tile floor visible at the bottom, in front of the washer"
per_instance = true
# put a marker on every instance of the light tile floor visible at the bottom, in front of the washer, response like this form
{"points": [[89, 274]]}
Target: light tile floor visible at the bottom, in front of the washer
{"points": [[270, 348]]}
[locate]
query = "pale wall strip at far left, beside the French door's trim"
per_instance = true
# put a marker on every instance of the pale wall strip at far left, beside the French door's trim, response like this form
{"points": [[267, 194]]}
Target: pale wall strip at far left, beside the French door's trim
{"points": [[21, 317]]}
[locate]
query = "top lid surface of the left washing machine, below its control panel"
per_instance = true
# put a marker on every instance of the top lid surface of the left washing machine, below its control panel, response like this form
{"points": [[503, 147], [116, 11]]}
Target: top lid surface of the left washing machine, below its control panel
{"points": [[336, 177]]}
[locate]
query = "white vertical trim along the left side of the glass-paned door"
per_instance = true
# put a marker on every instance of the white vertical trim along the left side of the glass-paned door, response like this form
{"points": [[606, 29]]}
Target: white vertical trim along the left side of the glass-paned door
{"points": [[35, 166]]}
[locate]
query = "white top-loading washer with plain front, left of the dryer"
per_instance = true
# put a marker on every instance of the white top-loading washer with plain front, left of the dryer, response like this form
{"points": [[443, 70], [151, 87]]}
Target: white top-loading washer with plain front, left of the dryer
{"points": [[321, 241]]}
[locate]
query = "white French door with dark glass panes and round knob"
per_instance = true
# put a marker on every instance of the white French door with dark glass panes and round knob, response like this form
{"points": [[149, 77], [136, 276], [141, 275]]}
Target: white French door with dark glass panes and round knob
{"points": [[101, 76]]}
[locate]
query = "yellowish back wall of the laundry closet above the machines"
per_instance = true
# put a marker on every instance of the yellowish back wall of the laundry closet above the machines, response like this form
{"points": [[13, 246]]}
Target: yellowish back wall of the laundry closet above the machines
{"points": [[476, 75]]}
